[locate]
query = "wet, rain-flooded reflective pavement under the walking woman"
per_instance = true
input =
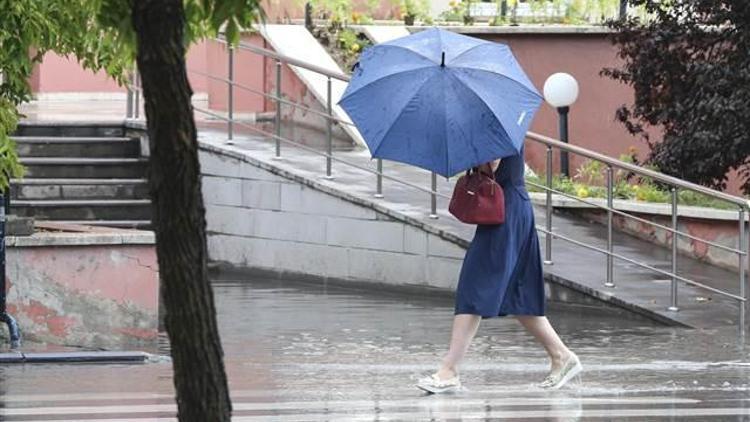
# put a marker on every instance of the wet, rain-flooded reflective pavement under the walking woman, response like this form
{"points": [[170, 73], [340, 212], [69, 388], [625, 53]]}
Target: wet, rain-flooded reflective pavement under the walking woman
{"points": [[305, 352]]}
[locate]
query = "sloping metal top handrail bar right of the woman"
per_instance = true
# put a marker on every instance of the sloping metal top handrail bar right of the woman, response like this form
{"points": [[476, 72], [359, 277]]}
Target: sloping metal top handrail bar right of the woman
{"points": [[670, 180]]}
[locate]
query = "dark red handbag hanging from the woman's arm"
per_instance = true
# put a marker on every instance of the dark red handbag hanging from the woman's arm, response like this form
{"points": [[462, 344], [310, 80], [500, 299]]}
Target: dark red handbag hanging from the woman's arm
{"points": [[477, 198]]}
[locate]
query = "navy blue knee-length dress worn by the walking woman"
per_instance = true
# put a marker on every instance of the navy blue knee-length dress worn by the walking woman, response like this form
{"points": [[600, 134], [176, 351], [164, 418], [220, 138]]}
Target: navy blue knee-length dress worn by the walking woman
{"points": [[502, 271]]}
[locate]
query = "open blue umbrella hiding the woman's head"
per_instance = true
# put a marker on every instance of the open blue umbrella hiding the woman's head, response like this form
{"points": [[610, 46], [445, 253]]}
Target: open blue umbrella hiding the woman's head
{"points": [[441, 101]]}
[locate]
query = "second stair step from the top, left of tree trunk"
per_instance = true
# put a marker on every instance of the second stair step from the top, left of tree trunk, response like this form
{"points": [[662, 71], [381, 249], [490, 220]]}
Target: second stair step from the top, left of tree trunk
{"points": [[46, 146]]}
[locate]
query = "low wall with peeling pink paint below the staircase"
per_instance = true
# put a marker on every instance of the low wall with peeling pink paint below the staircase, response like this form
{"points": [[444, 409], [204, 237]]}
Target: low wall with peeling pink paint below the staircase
{"points": [[85, 289]]}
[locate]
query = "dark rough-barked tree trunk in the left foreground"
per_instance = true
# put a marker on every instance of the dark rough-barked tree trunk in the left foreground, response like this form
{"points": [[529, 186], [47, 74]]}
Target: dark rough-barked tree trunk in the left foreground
{"points": [[178, 213]]}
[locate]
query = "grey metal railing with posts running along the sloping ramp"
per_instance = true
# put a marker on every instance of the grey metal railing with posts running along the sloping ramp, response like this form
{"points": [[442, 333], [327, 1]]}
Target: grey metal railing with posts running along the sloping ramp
{"points": [[744, 205]]}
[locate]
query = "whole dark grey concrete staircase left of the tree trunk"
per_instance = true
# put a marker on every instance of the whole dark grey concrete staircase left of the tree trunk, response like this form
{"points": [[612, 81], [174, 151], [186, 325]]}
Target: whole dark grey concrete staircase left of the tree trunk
{"points": [[81, 174]]}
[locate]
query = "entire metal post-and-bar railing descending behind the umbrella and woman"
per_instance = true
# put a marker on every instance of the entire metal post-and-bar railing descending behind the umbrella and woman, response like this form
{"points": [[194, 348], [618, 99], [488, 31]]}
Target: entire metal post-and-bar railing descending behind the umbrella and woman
{"points": [[742, 250]]}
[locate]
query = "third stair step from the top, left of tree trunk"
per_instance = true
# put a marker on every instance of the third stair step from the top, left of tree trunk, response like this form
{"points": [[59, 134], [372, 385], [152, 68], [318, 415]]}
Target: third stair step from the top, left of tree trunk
{"points": [[46, 167]]}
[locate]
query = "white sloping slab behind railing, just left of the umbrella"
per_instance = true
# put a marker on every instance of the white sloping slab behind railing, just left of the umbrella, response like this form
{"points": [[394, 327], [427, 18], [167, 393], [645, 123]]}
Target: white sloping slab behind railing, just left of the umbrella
{"points": [[297, 42]]}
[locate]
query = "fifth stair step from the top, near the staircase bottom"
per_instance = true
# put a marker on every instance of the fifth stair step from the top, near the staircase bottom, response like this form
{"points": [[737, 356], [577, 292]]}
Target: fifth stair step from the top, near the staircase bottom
{"points": [[132, 209]]}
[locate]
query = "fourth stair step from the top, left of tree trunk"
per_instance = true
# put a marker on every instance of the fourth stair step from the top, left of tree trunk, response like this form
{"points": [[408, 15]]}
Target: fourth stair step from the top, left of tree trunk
{"points": [[30, 189]]}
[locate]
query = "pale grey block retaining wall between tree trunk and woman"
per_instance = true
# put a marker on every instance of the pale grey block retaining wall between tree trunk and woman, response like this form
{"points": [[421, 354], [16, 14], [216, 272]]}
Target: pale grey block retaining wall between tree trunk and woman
{"points": [[261, 220]]}
